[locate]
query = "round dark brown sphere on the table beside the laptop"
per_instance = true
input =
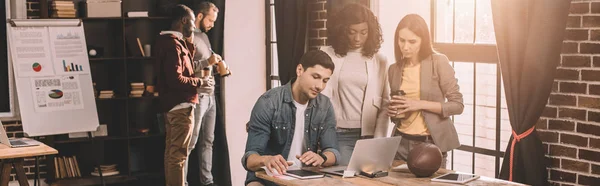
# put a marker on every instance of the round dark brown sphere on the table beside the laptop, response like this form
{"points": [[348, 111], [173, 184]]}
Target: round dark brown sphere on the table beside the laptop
{"points": [[424, 159]]}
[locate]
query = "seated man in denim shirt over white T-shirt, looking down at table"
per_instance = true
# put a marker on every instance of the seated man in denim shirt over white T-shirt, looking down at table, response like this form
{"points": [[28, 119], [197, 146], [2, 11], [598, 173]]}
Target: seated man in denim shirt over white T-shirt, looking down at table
{"points": [[294, 122]]}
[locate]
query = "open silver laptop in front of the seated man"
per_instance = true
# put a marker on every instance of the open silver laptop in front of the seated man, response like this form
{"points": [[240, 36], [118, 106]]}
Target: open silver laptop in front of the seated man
{"points": [[369, 155]]}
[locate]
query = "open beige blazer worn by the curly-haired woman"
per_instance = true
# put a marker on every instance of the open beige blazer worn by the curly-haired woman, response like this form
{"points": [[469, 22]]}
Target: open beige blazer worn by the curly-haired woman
{"points": [[374, 119]]}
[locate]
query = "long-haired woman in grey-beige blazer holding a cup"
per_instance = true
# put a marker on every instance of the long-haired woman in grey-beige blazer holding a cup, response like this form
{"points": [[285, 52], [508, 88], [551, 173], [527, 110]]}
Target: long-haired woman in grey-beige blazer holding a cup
{"points": [[432, 94]]}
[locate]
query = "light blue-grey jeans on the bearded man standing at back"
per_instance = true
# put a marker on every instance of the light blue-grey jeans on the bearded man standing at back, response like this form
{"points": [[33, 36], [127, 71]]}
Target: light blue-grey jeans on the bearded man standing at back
{"points": [[204, 134]]}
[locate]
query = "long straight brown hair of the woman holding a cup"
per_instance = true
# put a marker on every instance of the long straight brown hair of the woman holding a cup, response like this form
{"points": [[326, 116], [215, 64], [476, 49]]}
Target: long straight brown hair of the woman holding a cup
{"points": [[417, 25]]}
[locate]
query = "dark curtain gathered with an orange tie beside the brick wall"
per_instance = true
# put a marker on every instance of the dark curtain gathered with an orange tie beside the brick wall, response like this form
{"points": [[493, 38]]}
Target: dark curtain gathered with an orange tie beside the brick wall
{"points": [[529, 35]]}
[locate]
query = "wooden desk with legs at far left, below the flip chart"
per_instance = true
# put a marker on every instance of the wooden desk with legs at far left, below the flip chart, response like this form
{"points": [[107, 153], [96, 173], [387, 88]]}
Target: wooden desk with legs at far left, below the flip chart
{"points": [[15, 157]]}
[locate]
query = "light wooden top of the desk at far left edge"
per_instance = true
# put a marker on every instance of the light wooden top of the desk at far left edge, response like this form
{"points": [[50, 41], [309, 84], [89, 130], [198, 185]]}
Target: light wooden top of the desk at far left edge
{"points": [[22, 152]]}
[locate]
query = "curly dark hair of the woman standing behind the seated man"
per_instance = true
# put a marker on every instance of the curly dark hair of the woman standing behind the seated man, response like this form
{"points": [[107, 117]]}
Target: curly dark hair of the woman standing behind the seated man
{"points": [[338, 25]]}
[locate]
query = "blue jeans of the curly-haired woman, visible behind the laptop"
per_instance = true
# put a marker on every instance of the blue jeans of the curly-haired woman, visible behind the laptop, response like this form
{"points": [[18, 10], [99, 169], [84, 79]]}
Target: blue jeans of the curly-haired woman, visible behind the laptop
{"points": [[347, 140]]}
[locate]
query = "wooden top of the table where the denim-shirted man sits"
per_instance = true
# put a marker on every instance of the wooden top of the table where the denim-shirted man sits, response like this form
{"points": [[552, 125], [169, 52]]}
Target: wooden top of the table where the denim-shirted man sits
{"points": [[394, 178]]}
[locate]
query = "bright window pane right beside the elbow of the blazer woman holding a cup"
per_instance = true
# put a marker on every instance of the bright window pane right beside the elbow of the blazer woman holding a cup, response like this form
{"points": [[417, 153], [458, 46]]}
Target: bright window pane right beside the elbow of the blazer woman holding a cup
{"points": [[464, 121]]}
